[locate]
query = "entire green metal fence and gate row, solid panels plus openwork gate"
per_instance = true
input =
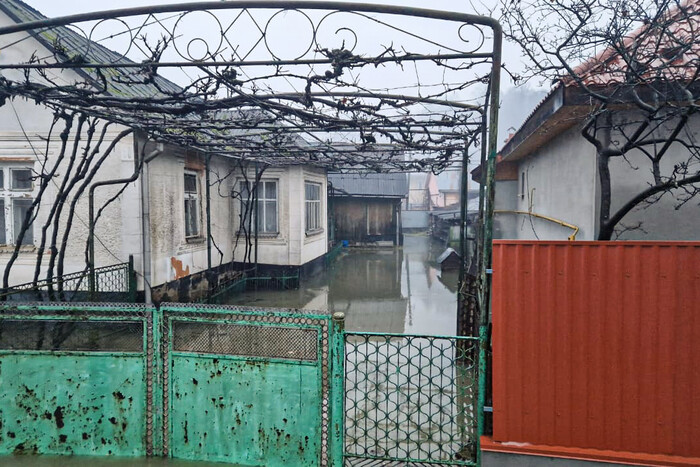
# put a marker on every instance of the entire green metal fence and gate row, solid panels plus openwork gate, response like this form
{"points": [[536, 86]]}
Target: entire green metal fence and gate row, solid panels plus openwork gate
{"points": [[232, 384]]}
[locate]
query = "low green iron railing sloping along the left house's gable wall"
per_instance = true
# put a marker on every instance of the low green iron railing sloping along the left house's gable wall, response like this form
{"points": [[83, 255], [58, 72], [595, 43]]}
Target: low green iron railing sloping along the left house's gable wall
{"points": [[113, 283]]}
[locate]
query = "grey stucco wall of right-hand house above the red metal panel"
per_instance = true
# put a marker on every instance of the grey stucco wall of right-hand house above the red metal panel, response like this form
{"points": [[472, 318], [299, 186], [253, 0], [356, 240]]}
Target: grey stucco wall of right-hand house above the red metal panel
{"points": [[561, 181]]}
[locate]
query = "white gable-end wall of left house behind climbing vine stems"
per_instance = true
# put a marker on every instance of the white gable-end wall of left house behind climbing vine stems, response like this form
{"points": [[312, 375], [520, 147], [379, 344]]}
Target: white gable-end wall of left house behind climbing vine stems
{"points": [[24, 129]]}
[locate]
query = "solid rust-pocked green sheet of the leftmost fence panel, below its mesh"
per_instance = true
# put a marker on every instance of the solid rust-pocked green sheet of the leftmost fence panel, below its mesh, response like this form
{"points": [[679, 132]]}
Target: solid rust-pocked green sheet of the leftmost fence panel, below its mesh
{"points": [[89, 405]]}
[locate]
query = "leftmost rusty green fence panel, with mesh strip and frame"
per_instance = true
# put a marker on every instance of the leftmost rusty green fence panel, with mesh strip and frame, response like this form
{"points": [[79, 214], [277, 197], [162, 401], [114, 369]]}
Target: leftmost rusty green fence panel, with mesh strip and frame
{"points": [[76, 380]]}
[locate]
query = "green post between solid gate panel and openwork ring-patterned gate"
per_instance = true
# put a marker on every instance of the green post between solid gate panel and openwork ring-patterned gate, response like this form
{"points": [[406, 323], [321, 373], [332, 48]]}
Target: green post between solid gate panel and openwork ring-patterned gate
{"points": [[337, 389]]}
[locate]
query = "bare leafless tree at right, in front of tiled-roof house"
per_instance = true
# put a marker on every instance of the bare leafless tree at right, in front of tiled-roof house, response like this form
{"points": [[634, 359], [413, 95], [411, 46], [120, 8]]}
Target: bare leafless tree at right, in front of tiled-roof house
{"points": [[632, 66]]}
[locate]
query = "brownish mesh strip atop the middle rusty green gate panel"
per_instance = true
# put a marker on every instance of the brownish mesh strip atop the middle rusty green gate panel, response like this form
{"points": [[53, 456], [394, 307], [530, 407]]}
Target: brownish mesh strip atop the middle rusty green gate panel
{"points": [[246, 340]]}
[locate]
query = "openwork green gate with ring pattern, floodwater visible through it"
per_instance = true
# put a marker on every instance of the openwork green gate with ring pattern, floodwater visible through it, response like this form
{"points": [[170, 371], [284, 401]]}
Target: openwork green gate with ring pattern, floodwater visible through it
{"points": [[410, 399]]}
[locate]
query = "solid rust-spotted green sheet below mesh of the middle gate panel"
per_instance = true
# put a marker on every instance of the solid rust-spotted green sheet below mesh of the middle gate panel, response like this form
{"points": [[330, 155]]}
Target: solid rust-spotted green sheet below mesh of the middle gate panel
{"points": [[245, 411]]}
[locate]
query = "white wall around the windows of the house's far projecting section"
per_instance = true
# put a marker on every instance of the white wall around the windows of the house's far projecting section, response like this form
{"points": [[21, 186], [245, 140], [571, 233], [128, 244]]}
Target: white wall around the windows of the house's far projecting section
{"points": [[291, 246]]}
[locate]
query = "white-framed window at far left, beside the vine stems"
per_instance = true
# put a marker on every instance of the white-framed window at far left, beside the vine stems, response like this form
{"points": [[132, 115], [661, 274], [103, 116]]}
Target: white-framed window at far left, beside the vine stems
{"points": [[14, 204]]}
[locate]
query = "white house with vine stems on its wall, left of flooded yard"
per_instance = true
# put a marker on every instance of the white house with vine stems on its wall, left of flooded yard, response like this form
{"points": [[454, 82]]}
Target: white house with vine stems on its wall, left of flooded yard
{"points": [[160, 217]]}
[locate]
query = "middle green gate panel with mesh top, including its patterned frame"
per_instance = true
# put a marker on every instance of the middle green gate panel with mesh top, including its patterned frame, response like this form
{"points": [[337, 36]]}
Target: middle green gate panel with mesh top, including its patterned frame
{"points": [[245, 385]]}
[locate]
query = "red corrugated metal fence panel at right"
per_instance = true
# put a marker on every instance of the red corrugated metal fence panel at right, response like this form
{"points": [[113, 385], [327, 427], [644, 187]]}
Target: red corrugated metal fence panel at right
{"points": [[597, 345]]}
